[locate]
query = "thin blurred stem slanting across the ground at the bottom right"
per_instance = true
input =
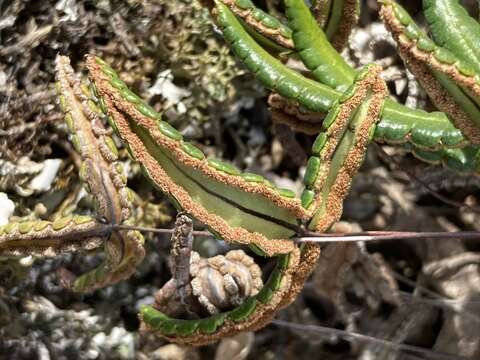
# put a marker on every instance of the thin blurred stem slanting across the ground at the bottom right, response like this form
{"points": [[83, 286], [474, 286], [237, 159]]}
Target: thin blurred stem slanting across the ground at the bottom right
{"points": [[353, 335]]}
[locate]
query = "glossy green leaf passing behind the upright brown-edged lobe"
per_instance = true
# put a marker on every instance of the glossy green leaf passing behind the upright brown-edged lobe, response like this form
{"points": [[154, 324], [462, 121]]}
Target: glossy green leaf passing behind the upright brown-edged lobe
{"points": [[396, 121]]}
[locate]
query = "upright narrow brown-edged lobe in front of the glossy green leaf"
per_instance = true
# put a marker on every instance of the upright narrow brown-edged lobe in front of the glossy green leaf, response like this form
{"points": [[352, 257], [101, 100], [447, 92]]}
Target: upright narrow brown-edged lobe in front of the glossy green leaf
{"points": [[338, 151]]}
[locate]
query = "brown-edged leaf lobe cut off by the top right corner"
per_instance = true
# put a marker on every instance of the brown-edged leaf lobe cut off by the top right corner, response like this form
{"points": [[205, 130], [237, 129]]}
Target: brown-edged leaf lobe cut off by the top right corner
{"points": [[452, 84]]}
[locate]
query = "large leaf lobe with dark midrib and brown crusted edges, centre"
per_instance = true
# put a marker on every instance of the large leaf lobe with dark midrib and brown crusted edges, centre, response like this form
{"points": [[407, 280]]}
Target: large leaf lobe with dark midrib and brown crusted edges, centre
{"points": [[238, 207]]}
